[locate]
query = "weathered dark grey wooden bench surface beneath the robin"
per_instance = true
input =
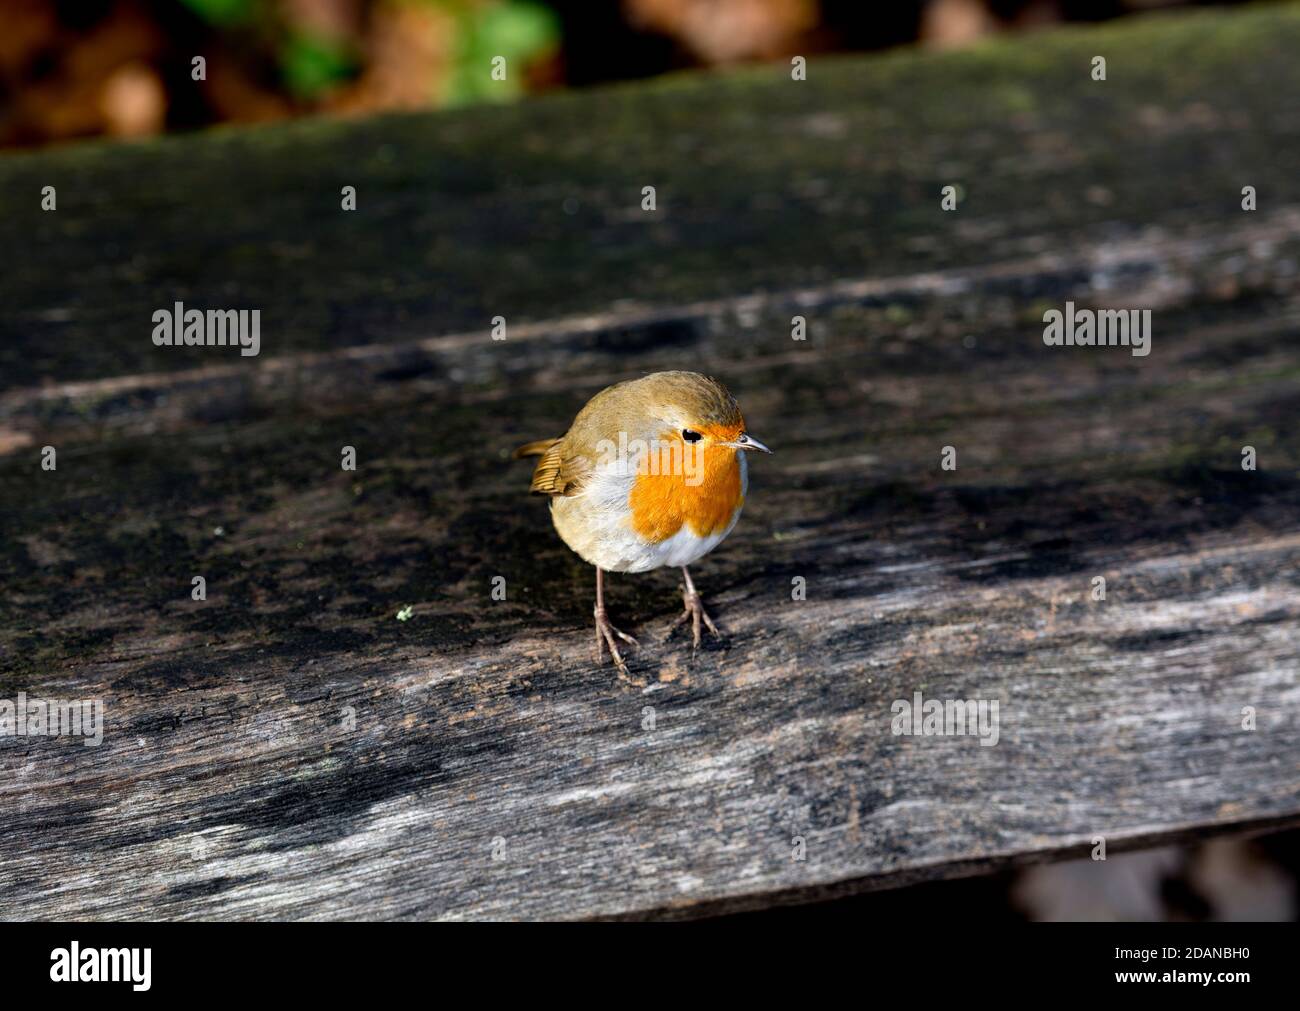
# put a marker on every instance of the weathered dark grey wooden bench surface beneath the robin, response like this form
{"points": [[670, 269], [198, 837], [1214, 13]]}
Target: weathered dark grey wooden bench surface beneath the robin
{"points": [[231, 783]]}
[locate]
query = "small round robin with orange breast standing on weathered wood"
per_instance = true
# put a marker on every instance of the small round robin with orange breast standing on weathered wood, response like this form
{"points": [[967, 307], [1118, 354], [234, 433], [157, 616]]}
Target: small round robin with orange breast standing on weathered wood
{"points": [[652, 474]]}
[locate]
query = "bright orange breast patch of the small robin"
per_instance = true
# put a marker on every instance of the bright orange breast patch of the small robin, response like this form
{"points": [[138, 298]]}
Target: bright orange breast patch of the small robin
{"points": [[700, 493]]}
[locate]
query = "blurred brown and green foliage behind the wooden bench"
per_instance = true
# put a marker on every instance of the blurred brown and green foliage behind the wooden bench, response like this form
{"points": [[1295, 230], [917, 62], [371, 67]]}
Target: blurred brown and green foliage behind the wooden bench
{"points": [[125, 68]]}
